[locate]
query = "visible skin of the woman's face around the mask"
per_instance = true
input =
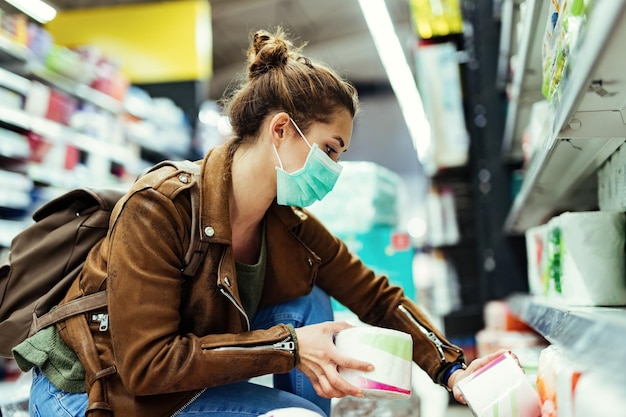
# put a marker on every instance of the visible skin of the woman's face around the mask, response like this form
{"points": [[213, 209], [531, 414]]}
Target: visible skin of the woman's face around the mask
{"points": [[332, 138]]}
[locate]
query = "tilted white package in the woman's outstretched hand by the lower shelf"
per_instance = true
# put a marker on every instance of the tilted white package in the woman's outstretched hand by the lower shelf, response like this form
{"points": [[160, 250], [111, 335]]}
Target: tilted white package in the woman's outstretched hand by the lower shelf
{"points": [[500, 389]]}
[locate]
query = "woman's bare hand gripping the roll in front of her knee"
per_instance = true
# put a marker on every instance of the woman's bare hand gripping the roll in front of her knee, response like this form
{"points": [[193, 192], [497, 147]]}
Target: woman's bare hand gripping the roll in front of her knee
{"points": [[320, 359]]}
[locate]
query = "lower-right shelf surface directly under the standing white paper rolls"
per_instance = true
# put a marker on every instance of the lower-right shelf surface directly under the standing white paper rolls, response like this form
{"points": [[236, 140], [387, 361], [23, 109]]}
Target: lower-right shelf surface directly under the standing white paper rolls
{"points": [[589, 334]]}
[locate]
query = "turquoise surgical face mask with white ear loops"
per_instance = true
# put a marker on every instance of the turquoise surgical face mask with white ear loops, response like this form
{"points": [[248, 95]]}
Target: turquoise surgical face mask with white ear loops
{"points": [[311, 182]]}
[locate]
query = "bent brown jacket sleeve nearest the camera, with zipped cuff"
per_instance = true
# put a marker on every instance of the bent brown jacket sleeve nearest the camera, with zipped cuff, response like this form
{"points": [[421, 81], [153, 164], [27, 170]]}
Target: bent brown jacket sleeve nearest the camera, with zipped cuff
{"points": [[152, 354]]}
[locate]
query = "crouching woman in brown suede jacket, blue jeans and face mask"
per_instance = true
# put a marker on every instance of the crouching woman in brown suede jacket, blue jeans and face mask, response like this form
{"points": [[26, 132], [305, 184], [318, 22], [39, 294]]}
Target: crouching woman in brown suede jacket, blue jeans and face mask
{"points": [[260, 302]]}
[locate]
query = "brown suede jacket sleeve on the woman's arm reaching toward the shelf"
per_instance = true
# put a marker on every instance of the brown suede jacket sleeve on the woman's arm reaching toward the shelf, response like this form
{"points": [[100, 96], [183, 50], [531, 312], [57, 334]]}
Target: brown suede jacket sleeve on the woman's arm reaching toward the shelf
{"points": [[376, 301]]}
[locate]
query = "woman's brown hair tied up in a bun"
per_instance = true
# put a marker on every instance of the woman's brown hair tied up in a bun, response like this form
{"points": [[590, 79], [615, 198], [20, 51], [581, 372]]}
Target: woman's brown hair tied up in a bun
{"points": [[279, 78]]}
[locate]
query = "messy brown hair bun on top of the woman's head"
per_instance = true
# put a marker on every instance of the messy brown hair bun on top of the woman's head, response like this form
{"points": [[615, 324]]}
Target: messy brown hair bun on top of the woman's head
{"points": [[267, 52]]}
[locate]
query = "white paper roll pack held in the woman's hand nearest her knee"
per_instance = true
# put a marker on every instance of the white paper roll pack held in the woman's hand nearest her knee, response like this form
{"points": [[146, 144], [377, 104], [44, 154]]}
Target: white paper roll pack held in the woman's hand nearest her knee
{"points": [[390, 351]]}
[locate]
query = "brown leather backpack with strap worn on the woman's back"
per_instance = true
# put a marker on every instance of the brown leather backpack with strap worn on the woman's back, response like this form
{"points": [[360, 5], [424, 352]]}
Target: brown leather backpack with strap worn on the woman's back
{"points": [[46, 257]]}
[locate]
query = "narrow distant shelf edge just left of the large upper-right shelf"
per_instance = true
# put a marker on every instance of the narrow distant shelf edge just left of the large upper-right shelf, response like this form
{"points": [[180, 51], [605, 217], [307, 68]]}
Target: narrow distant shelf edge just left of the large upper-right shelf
{"points": [[526, 86]]}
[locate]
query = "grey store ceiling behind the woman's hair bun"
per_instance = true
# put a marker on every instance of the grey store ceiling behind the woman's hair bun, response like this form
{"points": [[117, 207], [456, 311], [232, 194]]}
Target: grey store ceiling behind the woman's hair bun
{"points": [[334, 31]]}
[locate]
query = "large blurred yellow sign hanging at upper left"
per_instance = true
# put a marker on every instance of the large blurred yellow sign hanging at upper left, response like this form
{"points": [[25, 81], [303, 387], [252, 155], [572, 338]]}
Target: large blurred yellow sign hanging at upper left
{"points": [[156, 42]]}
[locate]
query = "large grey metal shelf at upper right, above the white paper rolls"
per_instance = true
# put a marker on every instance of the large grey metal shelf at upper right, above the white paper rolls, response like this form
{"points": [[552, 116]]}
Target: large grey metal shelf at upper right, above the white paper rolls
{"points": [[589, 125]]}
